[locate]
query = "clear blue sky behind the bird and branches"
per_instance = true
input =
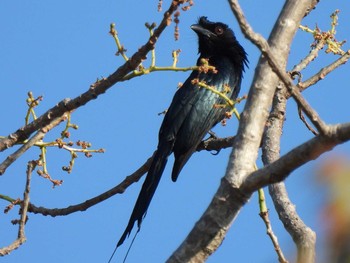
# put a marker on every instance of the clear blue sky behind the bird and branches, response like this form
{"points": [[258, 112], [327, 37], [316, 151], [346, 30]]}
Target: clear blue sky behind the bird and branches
{"points": [[58, 48]]}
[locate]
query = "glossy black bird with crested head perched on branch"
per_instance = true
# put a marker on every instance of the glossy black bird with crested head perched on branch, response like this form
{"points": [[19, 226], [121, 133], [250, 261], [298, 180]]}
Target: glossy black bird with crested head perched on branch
{"points": [[192, 113]]}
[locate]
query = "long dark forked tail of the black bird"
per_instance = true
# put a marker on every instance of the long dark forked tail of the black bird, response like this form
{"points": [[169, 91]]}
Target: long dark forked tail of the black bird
{"points": [[146, 194]]}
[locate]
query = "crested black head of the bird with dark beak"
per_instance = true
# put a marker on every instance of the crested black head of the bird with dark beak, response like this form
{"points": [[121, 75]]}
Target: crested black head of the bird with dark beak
{"points": [[217, 39]]}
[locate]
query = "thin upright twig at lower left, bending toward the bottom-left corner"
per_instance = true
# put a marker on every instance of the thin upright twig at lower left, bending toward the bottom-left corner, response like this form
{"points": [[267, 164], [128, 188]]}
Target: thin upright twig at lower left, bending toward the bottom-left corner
{"points": [[21, 238]]}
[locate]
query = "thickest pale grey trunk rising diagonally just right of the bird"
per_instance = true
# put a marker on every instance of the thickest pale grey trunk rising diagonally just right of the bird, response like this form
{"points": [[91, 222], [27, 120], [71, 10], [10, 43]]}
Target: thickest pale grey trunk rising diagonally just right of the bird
{"points": [[247, 142]]}
